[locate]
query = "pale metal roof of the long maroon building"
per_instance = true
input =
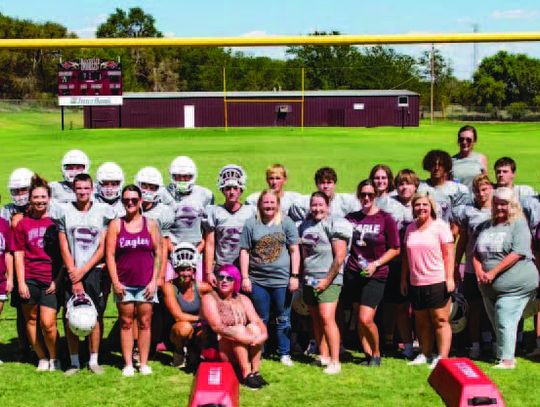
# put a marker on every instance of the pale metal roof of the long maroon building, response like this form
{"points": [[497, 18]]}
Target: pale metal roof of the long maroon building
{"points": [[270, 94]]}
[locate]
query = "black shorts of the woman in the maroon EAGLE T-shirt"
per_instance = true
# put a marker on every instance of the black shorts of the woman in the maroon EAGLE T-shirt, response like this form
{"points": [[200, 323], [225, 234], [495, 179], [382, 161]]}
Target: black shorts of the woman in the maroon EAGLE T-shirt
{"points": [[362, 290]]}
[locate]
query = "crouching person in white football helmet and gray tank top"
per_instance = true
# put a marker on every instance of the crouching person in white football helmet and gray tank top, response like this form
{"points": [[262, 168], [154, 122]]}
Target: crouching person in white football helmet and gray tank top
{"points": [[182, 296]]}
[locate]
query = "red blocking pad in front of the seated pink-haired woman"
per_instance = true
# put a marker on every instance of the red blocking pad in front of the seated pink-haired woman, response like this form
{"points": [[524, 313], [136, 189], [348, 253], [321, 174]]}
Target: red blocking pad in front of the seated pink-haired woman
{"points": [[215, 384]]}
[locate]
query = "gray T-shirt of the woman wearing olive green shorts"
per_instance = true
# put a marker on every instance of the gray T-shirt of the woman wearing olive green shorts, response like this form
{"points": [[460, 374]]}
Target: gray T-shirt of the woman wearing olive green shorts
{"points": [[316, 238]]}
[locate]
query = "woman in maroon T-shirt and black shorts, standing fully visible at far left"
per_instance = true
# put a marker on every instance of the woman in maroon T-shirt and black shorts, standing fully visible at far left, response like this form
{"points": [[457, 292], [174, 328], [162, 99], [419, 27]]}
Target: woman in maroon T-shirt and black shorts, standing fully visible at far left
{"points": [[36, 263]]}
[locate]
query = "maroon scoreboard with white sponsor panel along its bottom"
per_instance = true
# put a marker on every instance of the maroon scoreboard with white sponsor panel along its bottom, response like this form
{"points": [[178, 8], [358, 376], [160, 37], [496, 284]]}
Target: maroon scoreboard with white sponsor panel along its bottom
{"points": [[90, 82]]}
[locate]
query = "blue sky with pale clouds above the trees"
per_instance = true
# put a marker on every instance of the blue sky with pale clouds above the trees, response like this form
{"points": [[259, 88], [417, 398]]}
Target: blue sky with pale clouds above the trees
{"points": [[180, 18]]}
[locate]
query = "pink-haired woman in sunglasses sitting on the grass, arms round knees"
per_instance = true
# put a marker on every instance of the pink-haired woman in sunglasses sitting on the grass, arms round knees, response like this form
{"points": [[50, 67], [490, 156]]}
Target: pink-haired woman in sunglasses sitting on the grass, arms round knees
{"points": [[241, 332]]}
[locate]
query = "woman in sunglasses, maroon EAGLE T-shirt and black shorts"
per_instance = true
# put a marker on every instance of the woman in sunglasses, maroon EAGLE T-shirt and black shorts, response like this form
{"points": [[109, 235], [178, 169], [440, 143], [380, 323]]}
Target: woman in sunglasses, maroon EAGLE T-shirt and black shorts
{"points": [[375, 242]]}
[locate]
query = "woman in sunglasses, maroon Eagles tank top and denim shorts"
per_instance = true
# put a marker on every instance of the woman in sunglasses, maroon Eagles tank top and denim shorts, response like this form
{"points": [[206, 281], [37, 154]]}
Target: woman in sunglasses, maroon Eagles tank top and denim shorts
{"points": [[133, 260]]}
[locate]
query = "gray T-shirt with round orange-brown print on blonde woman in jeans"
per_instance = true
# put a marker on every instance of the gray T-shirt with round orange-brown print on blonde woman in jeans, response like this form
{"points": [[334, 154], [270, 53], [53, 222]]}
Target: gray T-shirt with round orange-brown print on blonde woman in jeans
{"points": [[269, 259]]}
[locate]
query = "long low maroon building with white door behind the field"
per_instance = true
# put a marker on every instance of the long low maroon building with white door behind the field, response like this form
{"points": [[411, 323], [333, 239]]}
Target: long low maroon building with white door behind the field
{"points": [[340, 108]]}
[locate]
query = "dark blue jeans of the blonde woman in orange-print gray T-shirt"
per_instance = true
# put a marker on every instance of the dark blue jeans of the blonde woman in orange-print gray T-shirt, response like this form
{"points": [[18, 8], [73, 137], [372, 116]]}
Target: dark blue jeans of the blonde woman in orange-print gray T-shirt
{"points": [[279, 300]]}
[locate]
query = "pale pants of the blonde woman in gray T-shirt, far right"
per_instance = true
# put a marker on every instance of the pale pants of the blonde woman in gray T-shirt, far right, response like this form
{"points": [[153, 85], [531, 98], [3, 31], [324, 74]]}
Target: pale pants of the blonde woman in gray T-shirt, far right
{"points": [[504, 312]]}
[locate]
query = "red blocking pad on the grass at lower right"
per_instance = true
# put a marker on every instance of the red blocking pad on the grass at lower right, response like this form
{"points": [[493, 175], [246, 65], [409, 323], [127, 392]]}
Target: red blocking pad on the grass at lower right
{"points": [[461, 383]]}
